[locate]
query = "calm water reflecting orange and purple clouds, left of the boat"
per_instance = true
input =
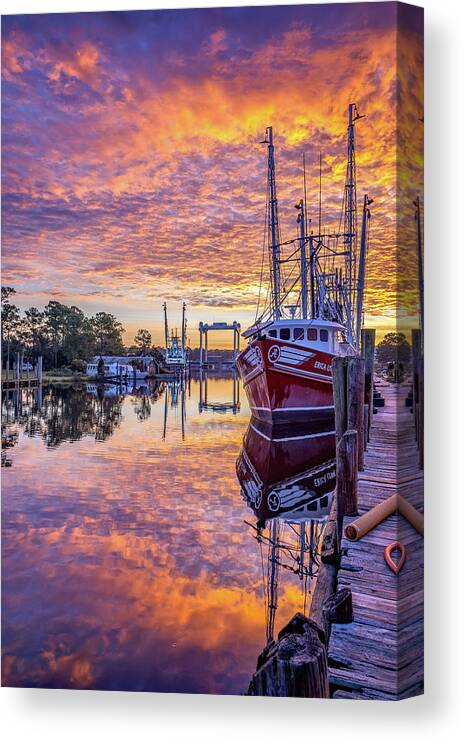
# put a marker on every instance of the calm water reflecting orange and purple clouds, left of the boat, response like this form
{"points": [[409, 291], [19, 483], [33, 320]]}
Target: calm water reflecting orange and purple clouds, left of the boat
{"points": [[126, 560]]}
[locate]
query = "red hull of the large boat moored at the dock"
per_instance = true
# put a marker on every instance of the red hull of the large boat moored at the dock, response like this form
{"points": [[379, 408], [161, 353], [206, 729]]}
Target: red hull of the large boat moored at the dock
{"points": [[286, 382]]}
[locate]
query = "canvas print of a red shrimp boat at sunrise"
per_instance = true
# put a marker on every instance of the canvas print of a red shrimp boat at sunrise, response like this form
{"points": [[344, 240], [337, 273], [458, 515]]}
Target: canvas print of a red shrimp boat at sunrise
{"points": [[212, 351]]}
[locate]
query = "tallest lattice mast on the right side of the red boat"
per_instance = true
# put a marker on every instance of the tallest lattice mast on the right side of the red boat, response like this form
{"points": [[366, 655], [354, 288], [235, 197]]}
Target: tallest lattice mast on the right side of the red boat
{"points": [[350, 214]]}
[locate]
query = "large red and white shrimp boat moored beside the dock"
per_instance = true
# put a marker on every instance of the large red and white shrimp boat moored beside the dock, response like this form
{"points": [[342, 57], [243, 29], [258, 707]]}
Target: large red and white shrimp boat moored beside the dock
{"points": [[314, 312]]}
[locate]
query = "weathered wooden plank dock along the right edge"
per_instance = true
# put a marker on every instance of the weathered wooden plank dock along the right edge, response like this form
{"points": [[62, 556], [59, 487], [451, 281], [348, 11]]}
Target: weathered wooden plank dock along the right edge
{"points": [[379, 655]]}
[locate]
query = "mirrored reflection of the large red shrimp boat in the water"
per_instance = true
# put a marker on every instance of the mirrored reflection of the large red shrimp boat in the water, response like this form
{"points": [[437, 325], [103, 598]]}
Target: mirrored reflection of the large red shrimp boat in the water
{"points": [[287, 476]]}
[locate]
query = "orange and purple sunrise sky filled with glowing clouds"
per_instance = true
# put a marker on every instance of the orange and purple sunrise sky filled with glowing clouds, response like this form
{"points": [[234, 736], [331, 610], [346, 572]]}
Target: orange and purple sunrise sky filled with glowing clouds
{"points": [[132, 169]]}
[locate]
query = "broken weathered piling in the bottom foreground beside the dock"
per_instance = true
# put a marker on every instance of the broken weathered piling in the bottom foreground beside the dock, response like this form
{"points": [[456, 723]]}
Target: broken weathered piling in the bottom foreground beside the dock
{"points": [[293, 665]]}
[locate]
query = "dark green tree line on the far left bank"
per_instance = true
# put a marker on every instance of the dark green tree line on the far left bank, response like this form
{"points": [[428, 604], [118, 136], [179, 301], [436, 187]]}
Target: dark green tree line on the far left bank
{"points": [[63, 335]]}
